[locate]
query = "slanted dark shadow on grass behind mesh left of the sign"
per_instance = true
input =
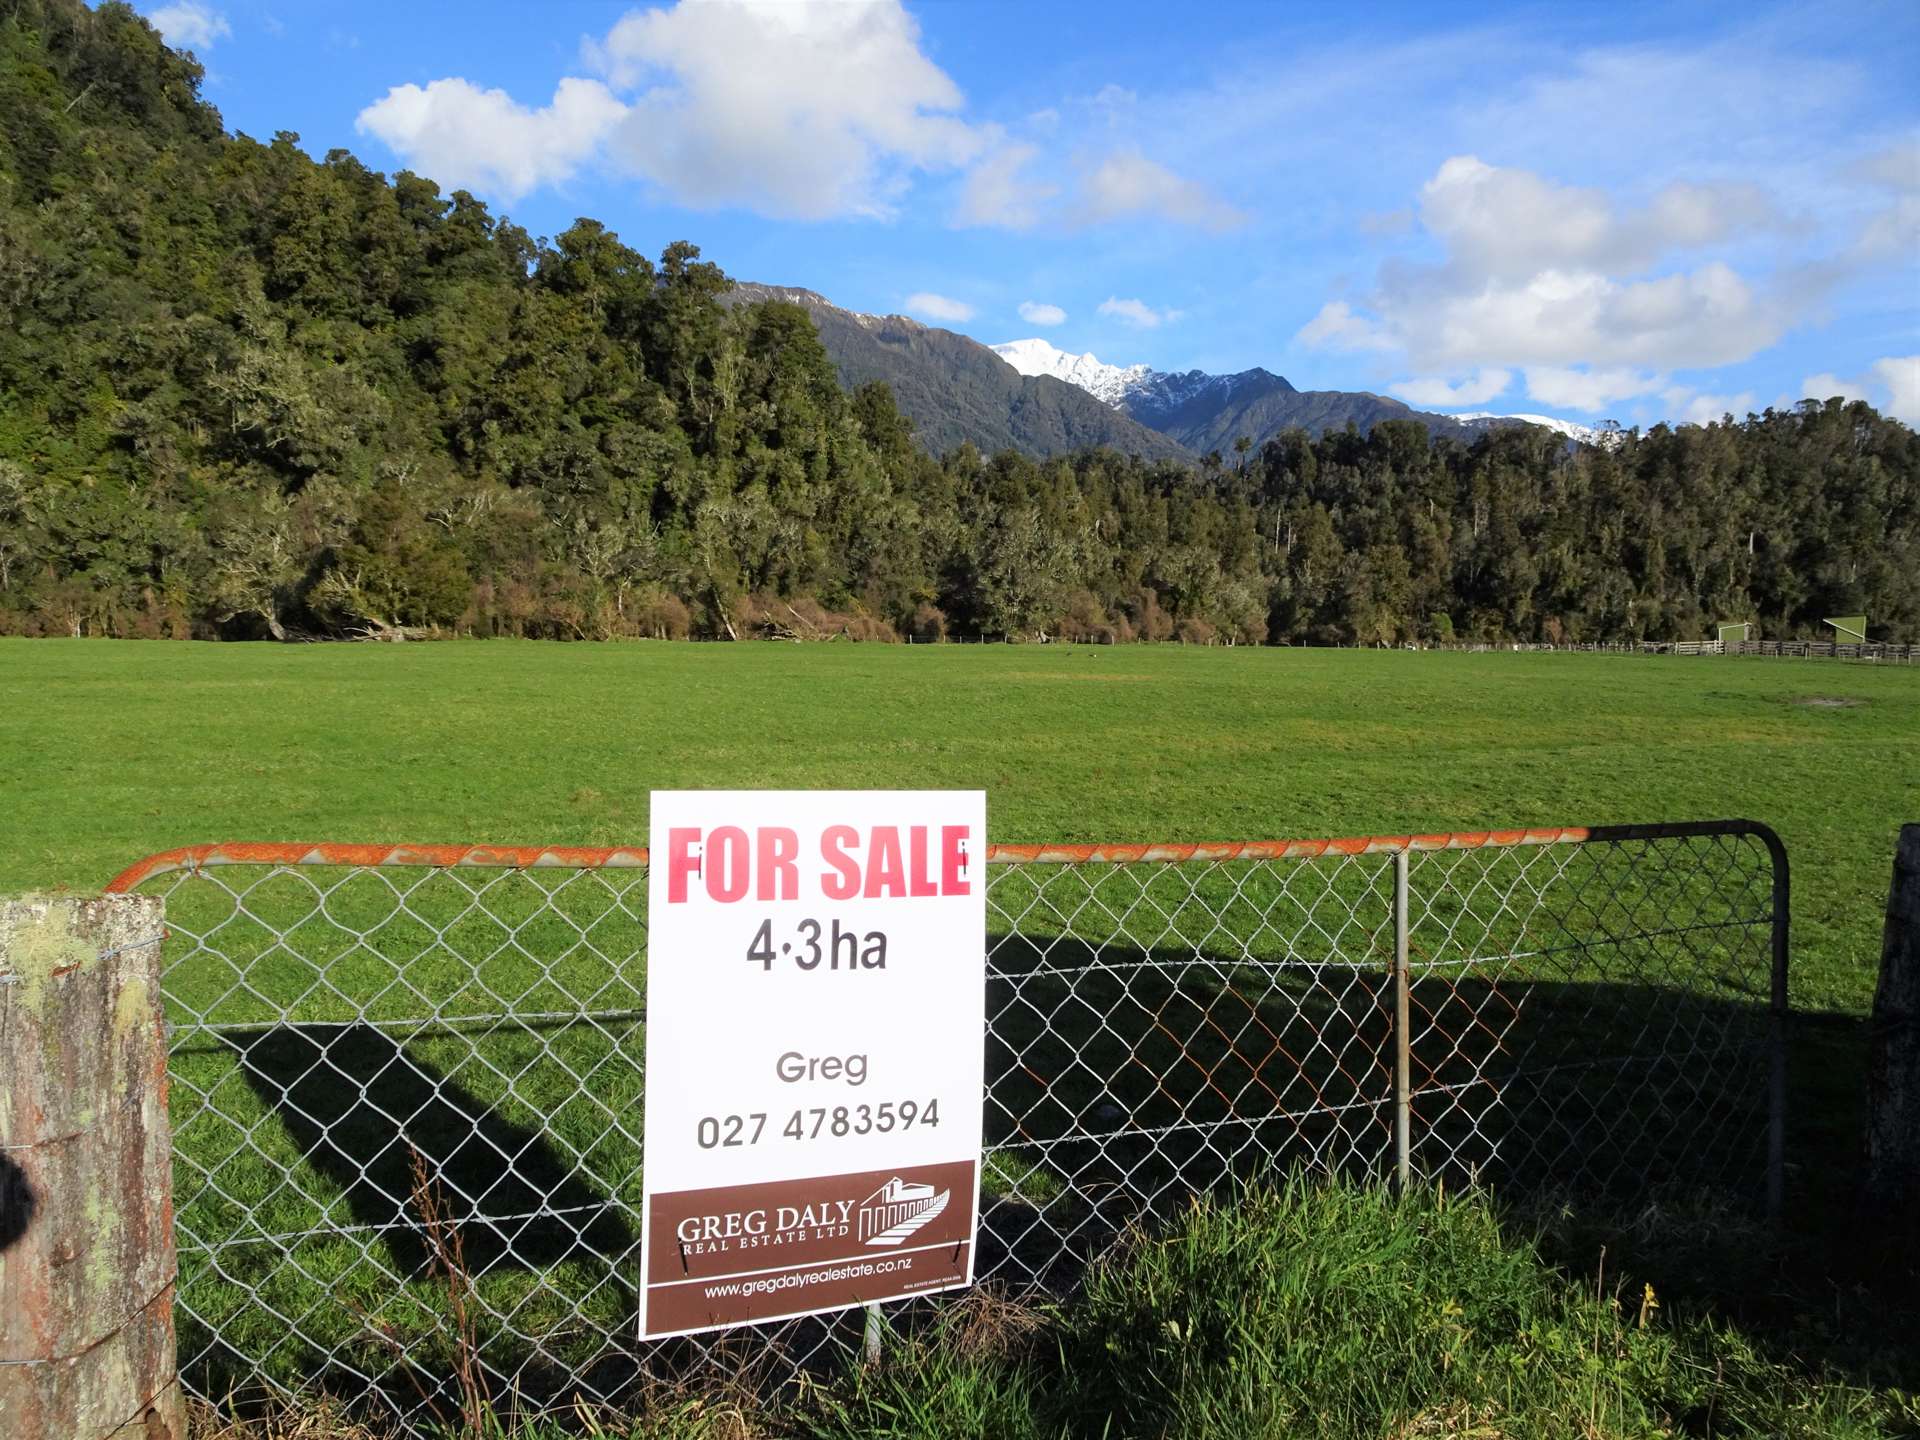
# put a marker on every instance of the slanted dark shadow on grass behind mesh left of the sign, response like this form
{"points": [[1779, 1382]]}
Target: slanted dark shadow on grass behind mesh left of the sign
{"points": [[360, 1107]]}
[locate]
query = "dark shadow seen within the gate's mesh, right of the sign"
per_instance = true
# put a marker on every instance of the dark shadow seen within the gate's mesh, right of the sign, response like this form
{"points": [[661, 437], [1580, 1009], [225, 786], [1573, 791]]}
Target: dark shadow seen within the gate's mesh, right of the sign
{"points": [[1120, 1082]]}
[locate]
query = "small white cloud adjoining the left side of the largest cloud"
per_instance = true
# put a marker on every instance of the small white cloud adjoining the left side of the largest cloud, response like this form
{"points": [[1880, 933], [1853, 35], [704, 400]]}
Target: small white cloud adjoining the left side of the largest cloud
{"points": [[466, 137]]}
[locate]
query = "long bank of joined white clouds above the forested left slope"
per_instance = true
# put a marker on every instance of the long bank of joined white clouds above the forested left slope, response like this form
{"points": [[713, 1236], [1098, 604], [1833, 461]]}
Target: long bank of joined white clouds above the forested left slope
{"points": [[792, 110]]}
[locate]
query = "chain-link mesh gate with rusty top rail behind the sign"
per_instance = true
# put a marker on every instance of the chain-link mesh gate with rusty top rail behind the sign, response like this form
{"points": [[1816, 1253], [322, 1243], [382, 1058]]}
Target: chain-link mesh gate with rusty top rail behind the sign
{"points": [[1596, 1011]]}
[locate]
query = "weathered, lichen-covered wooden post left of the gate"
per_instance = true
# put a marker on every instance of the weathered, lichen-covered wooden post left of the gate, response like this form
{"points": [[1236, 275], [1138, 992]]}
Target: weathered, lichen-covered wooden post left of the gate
{"points": [[85, 1174]]}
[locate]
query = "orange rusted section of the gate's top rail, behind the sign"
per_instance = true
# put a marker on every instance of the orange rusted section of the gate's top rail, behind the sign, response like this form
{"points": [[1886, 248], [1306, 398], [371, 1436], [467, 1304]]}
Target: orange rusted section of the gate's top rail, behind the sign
{"points": [[573, 857]]}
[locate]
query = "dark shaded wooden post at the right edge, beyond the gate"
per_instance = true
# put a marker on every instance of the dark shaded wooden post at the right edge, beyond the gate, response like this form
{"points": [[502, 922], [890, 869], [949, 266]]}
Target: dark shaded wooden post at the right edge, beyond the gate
{"points": [[1894, 1038]]}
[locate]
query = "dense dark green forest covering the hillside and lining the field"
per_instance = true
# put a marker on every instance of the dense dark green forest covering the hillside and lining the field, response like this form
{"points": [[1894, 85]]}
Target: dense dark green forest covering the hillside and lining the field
{"points": [[252, 395]]}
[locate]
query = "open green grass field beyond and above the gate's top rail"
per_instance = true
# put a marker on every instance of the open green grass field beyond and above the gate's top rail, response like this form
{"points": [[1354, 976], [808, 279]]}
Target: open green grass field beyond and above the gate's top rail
{"points": [[120, 750]]}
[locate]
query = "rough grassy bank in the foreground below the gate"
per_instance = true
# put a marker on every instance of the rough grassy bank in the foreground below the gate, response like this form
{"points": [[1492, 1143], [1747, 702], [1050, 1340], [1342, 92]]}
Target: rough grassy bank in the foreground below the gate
{"points": [[1310, 1310]]}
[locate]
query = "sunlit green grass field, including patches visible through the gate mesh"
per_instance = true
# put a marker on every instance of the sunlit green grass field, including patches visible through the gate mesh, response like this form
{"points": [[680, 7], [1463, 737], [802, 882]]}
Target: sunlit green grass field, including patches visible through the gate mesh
{"points": [[124, 750]]}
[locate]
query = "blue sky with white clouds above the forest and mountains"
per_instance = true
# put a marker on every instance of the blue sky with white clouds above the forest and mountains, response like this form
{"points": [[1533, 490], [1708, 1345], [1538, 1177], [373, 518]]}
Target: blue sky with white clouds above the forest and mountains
{"points": [[1596, 212]]}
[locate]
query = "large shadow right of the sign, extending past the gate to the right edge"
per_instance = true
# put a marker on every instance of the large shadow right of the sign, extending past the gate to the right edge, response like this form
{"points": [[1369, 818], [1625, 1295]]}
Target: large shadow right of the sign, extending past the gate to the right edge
{"points": [[1620, 1124]]}
